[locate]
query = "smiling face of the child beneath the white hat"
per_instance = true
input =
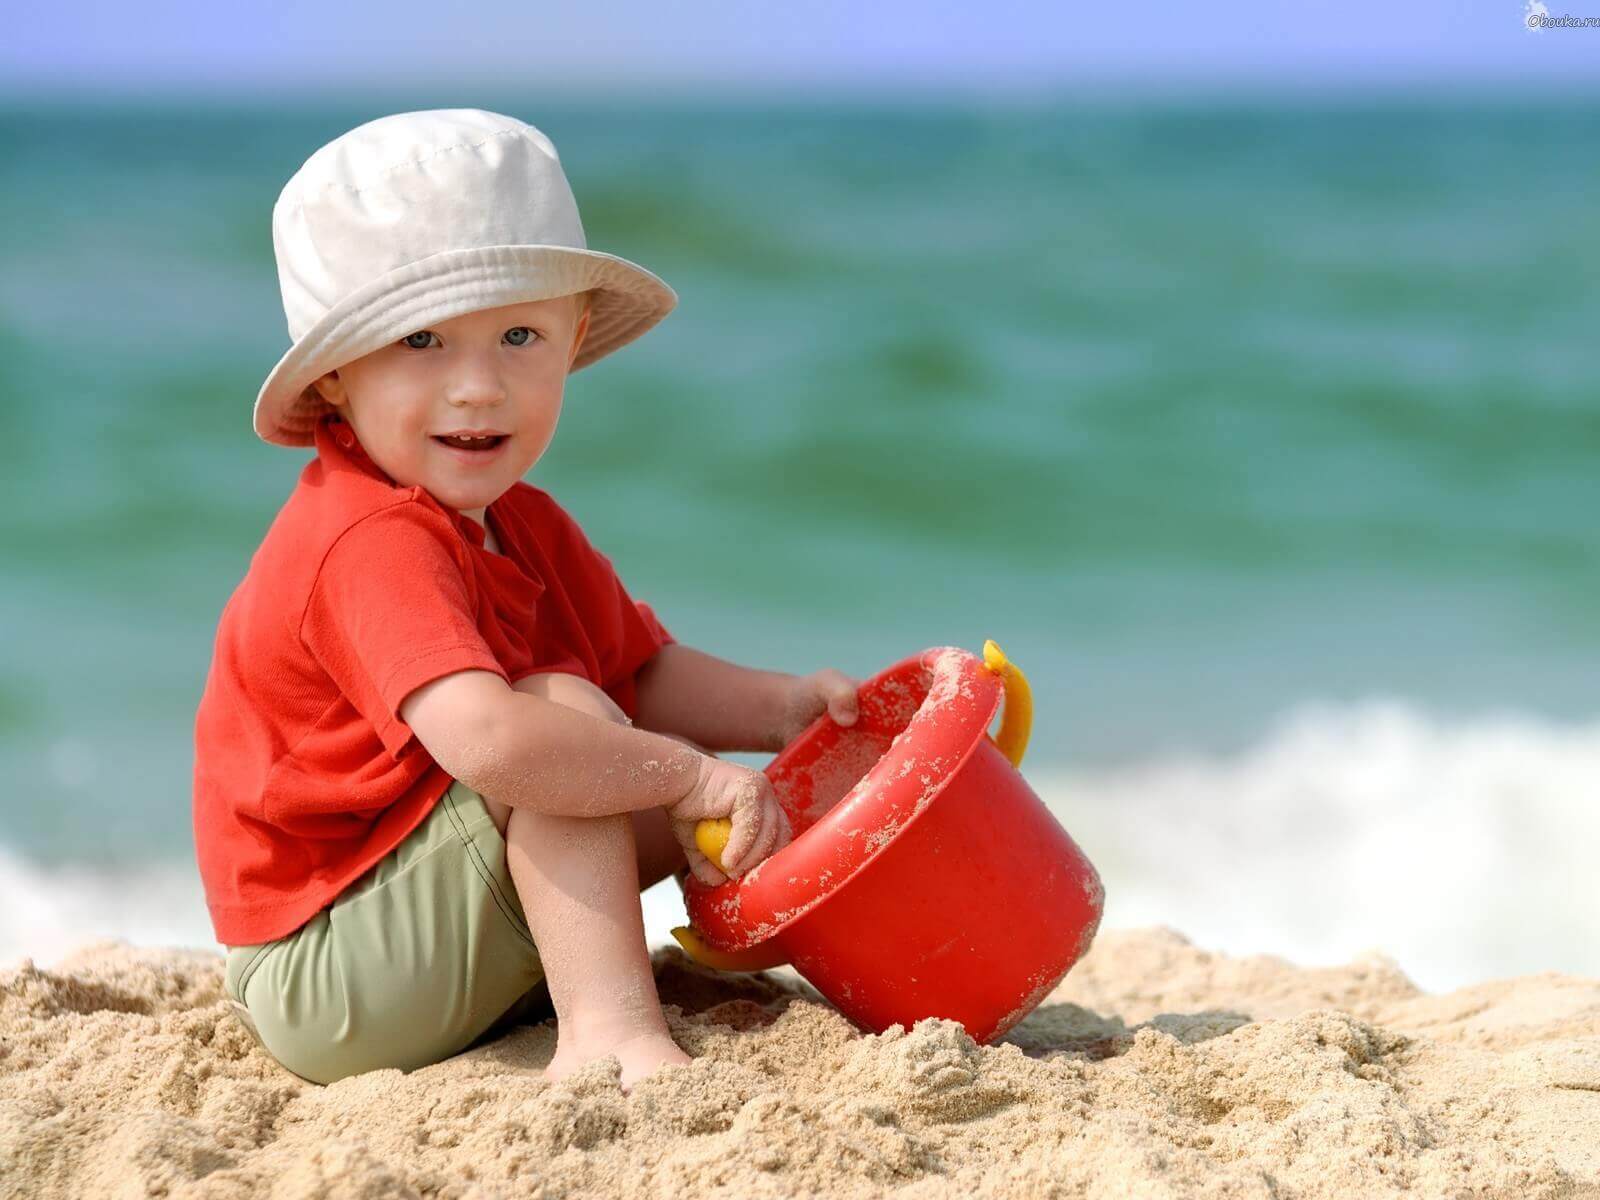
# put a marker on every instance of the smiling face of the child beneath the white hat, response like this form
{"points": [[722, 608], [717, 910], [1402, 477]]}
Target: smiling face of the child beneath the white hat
{"points": [[497, 370]]}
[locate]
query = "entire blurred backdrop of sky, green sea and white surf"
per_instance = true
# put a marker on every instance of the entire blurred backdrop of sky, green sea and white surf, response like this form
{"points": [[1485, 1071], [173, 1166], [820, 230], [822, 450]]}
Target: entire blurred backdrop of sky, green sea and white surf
{"points": [[1233, 370]]}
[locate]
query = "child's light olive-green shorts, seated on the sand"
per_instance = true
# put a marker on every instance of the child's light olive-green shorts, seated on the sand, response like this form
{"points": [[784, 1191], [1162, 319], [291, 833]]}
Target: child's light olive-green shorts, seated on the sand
{"points": [[420, 959]]}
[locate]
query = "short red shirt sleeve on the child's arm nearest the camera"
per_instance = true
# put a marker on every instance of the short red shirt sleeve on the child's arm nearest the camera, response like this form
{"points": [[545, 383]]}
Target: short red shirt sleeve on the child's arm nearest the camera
{"points": [[391, 610]]}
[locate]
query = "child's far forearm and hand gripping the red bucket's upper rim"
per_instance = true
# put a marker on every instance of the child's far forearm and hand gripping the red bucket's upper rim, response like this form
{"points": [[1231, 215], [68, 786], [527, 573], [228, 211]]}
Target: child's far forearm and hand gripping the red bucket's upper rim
{"points": [[724, 706]]}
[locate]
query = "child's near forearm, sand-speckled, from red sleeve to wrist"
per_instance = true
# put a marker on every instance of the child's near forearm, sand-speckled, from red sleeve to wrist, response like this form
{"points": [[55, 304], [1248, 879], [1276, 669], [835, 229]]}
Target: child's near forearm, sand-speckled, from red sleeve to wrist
{"points": [[532, 753]]}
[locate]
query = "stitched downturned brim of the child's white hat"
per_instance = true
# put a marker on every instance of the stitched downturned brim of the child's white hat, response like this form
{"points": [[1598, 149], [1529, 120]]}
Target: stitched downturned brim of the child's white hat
{"points": [[626, 303]]}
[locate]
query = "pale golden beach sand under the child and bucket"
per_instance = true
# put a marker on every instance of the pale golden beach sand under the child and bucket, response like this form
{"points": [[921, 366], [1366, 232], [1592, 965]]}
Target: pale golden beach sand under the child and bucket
{"points": [[1158, 1070]]}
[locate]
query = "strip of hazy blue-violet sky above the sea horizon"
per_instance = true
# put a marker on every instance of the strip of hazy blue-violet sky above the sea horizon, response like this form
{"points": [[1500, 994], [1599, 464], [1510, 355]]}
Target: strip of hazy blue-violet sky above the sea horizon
{"points": [[863, 46]]}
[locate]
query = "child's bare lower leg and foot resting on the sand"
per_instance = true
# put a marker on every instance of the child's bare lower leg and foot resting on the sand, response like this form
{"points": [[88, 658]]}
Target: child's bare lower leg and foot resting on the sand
{"points": [[578, 882]]}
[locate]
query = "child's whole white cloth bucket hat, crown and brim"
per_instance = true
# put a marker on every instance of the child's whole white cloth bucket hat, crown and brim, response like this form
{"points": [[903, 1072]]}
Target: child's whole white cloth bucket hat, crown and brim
{"points": [[422, 217]]}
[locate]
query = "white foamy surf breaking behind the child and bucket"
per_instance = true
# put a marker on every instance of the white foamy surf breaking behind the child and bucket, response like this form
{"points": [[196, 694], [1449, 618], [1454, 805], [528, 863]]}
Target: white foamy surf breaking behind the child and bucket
{"points": [[1462, 849]]}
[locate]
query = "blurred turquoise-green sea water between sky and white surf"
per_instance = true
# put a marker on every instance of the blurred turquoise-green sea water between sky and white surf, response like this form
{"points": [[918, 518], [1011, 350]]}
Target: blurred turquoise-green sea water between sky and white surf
{"points": [[1199, 412]]}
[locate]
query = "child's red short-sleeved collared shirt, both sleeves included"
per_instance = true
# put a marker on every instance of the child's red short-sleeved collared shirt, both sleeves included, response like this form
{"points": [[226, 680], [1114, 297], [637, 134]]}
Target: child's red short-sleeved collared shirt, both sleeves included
{"points": [[361, 593]]}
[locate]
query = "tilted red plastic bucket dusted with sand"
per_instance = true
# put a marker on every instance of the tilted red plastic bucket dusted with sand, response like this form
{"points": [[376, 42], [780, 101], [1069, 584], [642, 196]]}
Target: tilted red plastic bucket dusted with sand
{"points": [[926, 876]]}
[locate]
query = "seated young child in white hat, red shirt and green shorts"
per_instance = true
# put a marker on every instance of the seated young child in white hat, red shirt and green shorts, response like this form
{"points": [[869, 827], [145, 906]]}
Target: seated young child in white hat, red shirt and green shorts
{"points": [[441, 748]]}
